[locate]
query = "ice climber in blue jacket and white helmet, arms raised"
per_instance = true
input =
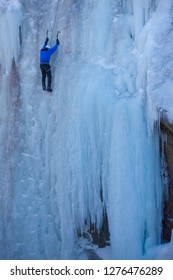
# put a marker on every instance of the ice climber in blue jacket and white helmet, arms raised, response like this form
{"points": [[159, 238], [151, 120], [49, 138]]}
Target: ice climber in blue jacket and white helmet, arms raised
{"points": [[45, 55]]}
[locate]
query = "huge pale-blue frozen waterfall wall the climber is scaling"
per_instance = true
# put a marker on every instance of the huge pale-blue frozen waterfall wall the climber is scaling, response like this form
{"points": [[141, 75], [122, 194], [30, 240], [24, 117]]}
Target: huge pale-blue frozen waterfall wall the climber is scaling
{"points": [[87, 149]]}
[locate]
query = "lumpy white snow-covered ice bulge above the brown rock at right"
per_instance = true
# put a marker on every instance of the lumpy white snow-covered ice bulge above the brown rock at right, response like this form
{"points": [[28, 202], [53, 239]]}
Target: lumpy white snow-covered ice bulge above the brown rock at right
{"points": [[155, 77]]}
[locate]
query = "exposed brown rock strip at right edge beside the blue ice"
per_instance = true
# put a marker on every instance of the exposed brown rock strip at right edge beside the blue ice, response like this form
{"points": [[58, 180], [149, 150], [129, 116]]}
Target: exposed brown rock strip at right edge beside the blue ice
{"points": [[167, 128]]}
